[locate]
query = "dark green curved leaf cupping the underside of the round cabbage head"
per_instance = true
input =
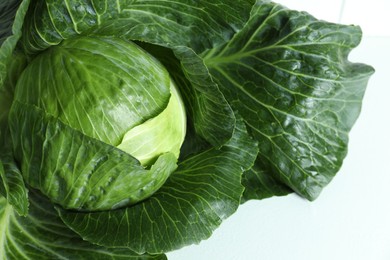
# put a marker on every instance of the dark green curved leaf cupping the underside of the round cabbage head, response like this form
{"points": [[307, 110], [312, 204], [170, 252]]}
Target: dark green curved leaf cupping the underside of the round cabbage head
{"points": [[192, 203]]}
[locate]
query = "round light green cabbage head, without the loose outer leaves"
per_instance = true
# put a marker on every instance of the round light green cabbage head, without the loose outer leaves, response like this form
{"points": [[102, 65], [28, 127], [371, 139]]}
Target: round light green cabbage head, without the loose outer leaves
{"points": [[93, 101]]}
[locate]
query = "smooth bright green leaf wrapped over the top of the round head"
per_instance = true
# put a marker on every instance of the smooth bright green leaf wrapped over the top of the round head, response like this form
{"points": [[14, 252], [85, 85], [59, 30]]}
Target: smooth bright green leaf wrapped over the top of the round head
{"points": [[101, 86]]}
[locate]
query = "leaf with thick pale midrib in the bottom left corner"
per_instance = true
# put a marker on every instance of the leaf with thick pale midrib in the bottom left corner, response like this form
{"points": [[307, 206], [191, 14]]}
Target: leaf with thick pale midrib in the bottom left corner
{"points": [[42, 235]]}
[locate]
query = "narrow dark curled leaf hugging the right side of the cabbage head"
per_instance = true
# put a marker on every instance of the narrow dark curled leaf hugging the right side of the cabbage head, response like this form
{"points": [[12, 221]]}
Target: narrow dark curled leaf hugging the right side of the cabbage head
{"points": [[209, 113]]}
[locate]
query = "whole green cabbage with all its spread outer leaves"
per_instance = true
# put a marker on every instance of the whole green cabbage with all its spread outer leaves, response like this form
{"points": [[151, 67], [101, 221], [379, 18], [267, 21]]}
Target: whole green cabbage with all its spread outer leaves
{"points": [[134, 128]]}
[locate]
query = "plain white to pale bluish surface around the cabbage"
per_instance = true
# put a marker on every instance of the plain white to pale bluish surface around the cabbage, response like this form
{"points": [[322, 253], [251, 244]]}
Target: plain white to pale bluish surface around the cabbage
{"points": [[351, 218]]}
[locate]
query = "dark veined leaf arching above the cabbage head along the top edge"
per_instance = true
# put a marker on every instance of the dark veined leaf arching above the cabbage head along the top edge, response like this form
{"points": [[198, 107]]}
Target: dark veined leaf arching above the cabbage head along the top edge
{"points": [[196, 24]]}
